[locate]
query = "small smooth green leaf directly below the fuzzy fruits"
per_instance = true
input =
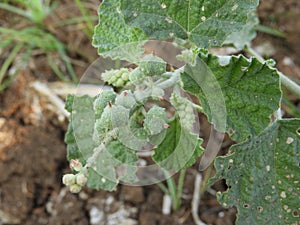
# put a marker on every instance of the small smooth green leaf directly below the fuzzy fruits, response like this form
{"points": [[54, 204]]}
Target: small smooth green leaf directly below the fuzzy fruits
{"points": [[178, 149]]}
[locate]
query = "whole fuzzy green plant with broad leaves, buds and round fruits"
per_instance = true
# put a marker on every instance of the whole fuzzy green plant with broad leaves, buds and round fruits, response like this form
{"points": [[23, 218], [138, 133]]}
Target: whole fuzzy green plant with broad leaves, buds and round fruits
{"points": [[148, 107]]}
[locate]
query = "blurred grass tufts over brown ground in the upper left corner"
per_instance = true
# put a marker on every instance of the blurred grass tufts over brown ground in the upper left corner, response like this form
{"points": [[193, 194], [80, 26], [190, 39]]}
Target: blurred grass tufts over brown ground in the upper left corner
{"points": [[49, 37]]}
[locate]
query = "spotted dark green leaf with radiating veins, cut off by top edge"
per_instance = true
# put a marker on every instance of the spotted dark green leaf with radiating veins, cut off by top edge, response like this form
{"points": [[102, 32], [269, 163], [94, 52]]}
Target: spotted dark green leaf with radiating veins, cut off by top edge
{"points": [[205, 23]]}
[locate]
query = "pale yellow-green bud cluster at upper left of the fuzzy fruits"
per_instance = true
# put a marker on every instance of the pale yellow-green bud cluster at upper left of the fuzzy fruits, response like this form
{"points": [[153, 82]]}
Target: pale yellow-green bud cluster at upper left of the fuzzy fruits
{"points": [[117, 78]]}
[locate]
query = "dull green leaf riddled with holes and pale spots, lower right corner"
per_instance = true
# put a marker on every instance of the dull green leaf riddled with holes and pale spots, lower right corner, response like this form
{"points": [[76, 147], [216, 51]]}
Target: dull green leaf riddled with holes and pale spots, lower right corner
{"points": [[262, 176]]}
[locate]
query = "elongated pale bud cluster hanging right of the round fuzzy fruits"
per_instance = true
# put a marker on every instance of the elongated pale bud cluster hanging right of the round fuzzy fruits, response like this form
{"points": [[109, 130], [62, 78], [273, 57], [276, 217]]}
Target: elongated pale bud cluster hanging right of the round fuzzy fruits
{"points": [[184, 109]]}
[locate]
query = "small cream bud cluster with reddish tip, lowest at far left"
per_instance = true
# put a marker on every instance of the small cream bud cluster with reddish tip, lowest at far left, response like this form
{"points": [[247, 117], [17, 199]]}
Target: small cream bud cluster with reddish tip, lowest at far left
{"points": [[75, 182]]}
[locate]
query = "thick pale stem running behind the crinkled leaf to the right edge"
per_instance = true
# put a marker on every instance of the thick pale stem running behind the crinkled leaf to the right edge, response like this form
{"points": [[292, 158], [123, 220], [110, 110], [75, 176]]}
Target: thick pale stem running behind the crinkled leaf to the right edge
{"points": [[285, 81]]}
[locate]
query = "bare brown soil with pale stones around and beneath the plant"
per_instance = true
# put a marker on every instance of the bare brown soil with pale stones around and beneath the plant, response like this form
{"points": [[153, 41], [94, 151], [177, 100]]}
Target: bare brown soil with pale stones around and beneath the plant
{"points": [[33, 153]]}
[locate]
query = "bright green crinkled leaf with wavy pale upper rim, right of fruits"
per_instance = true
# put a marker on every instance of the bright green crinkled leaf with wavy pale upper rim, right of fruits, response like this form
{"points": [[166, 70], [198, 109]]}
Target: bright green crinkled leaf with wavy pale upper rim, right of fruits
{"points": [[237, 94]]}
